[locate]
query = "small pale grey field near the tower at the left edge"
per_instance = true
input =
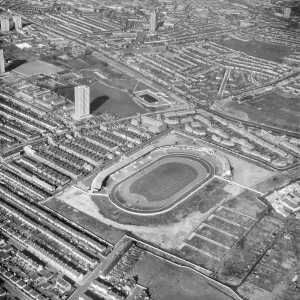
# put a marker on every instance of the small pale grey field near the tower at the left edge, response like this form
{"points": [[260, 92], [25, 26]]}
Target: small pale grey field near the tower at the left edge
{"points": [[37, 66]]}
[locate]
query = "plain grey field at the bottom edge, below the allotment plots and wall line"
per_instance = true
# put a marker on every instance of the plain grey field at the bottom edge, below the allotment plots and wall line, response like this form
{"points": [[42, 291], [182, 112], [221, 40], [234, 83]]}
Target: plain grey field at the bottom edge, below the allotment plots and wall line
{"points": [[167, 281]]}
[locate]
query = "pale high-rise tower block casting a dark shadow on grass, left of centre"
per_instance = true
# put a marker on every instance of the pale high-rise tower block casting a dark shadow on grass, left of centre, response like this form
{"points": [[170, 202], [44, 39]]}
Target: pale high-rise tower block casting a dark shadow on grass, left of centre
{"points": [[82, 101]]}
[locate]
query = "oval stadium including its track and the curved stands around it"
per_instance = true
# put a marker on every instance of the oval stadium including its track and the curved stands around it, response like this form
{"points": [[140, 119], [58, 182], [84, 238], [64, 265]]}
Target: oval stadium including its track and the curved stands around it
{"points": [[163, 178]]}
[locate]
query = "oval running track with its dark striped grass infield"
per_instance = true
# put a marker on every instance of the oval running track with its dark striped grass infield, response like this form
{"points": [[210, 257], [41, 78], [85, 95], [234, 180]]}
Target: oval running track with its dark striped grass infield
{"points": [[161, 183]]}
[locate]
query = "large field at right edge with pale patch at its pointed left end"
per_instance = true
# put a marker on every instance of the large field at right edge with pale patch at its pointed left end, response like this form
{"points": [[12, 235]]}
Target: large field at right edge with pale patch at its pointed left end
{"points": [[274, 110]]}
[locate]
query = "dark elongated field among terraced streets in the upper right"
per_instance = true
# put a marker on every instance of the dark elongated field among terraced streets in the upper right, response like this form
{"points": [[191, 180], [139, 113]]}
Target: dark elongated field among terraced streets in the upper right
{"points": [[258, 49]]}
